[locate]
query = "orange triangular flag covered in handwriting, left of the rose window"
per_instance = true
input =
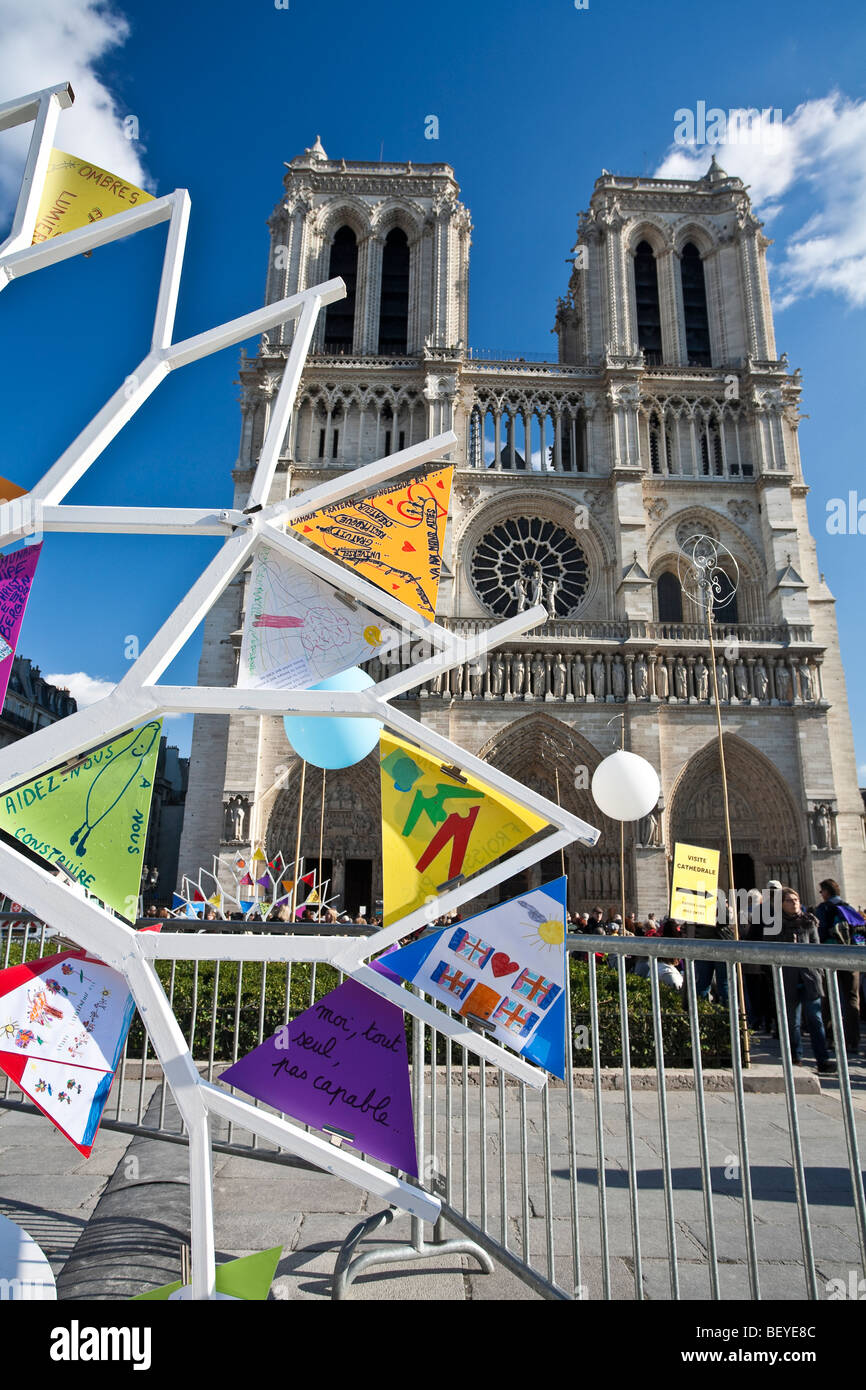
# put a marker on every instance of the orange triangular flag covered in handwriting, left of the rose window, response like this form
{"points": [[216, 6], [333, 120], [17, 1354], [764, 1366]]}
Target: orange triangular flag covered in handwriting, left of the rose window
{"points": [[394, 540]]}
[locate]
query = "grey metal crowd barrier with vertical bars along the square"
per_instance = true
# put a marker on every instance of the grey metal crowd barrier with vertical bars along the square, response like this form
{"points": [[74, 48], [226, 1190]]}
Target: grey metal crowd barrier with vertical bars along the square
{"points": [[515, 1167]]}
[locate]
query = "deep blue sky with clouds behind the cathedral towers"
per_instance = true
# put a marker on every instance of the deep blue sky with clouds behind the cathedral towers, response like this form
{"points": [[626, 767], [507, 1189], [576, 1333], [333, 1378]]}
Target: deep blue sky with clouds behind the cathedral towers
{"points": [[533, 101]]}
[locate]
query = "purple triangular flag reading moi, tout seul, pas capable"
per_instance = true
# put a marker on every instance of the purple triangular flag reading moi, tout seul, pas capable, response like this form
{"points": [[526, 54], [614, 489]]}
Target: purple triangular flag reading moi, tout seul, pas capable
{"points": [[341, 1065]]}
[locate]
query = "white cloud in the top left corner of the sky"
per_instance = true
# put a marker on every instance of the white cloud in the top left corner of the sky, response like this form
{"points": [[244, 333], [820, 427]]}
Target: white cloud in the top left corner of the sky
{"points": [[44, 44]]}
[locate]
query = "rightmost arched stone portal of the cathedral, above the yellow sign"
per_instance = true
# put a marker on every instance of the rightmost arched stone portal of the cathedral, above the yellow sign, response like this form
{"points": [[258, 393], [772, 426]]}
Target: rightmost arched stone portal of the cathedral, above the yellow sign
{"points": [[767, 826]]}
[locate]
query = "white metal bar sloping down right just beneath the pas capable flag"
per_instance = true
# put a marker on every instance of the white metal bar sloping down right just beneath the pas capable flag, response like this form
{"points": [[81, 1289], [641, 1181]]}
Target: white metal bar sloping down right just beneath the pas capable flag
{"points": [[337, 1161]]}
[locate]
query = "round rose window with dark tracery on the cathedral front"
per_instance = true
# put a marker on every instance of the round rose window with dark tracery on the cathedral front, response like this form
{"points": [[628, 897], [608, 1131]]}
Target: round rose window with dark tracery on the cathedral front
{"points": [[528, 561]]}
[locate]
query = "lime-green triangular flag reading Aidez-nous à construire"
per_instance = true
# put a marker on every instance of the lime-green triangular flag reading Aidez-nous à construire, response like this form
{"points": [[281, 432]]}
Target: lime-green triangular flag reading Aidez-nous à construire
{"points": [[90, 818]]}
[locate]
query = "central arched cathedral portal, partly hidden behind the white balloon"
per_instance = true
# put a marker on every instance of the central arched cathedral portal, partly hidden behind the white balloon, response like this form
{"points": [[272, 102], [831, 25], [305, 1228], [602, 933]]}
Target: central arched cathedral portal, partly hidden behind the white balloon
{"points": [[532, 751]]}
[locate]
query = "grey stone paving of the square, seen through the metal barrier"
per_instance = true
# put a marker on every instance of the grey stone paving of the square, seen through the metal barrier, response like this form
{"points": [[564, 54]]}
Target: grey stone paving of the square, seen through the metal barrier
{"points": [[113, 1225]]}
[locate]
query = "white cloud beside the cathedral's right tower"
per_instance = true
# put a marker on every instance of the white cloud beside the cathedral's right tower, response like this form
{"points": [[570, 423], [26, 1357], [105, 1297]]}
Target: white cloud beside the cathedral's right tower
{"points": [[821, 152]]}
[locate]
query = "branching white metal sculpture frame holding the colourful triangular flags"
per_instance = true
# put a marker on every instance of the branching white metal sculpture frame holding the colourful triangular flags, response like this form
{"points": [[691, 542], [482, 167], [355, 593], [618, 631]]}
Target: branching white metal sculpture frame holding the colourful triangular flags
{"points": [[140, 698]]}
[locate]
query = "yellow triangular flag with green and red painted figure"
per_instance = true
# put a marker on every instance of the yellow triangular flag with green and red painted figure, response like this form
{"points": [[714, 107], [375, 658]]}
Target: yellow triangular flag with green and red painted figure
{"points": [[439, 825]]}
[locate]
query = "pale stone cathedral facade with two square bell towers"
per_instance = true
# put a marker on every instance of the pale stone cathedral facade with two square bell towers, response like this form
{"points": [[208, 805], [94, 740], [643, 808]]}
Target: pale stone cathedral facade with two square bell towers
{"points": [[668, 414]]}
